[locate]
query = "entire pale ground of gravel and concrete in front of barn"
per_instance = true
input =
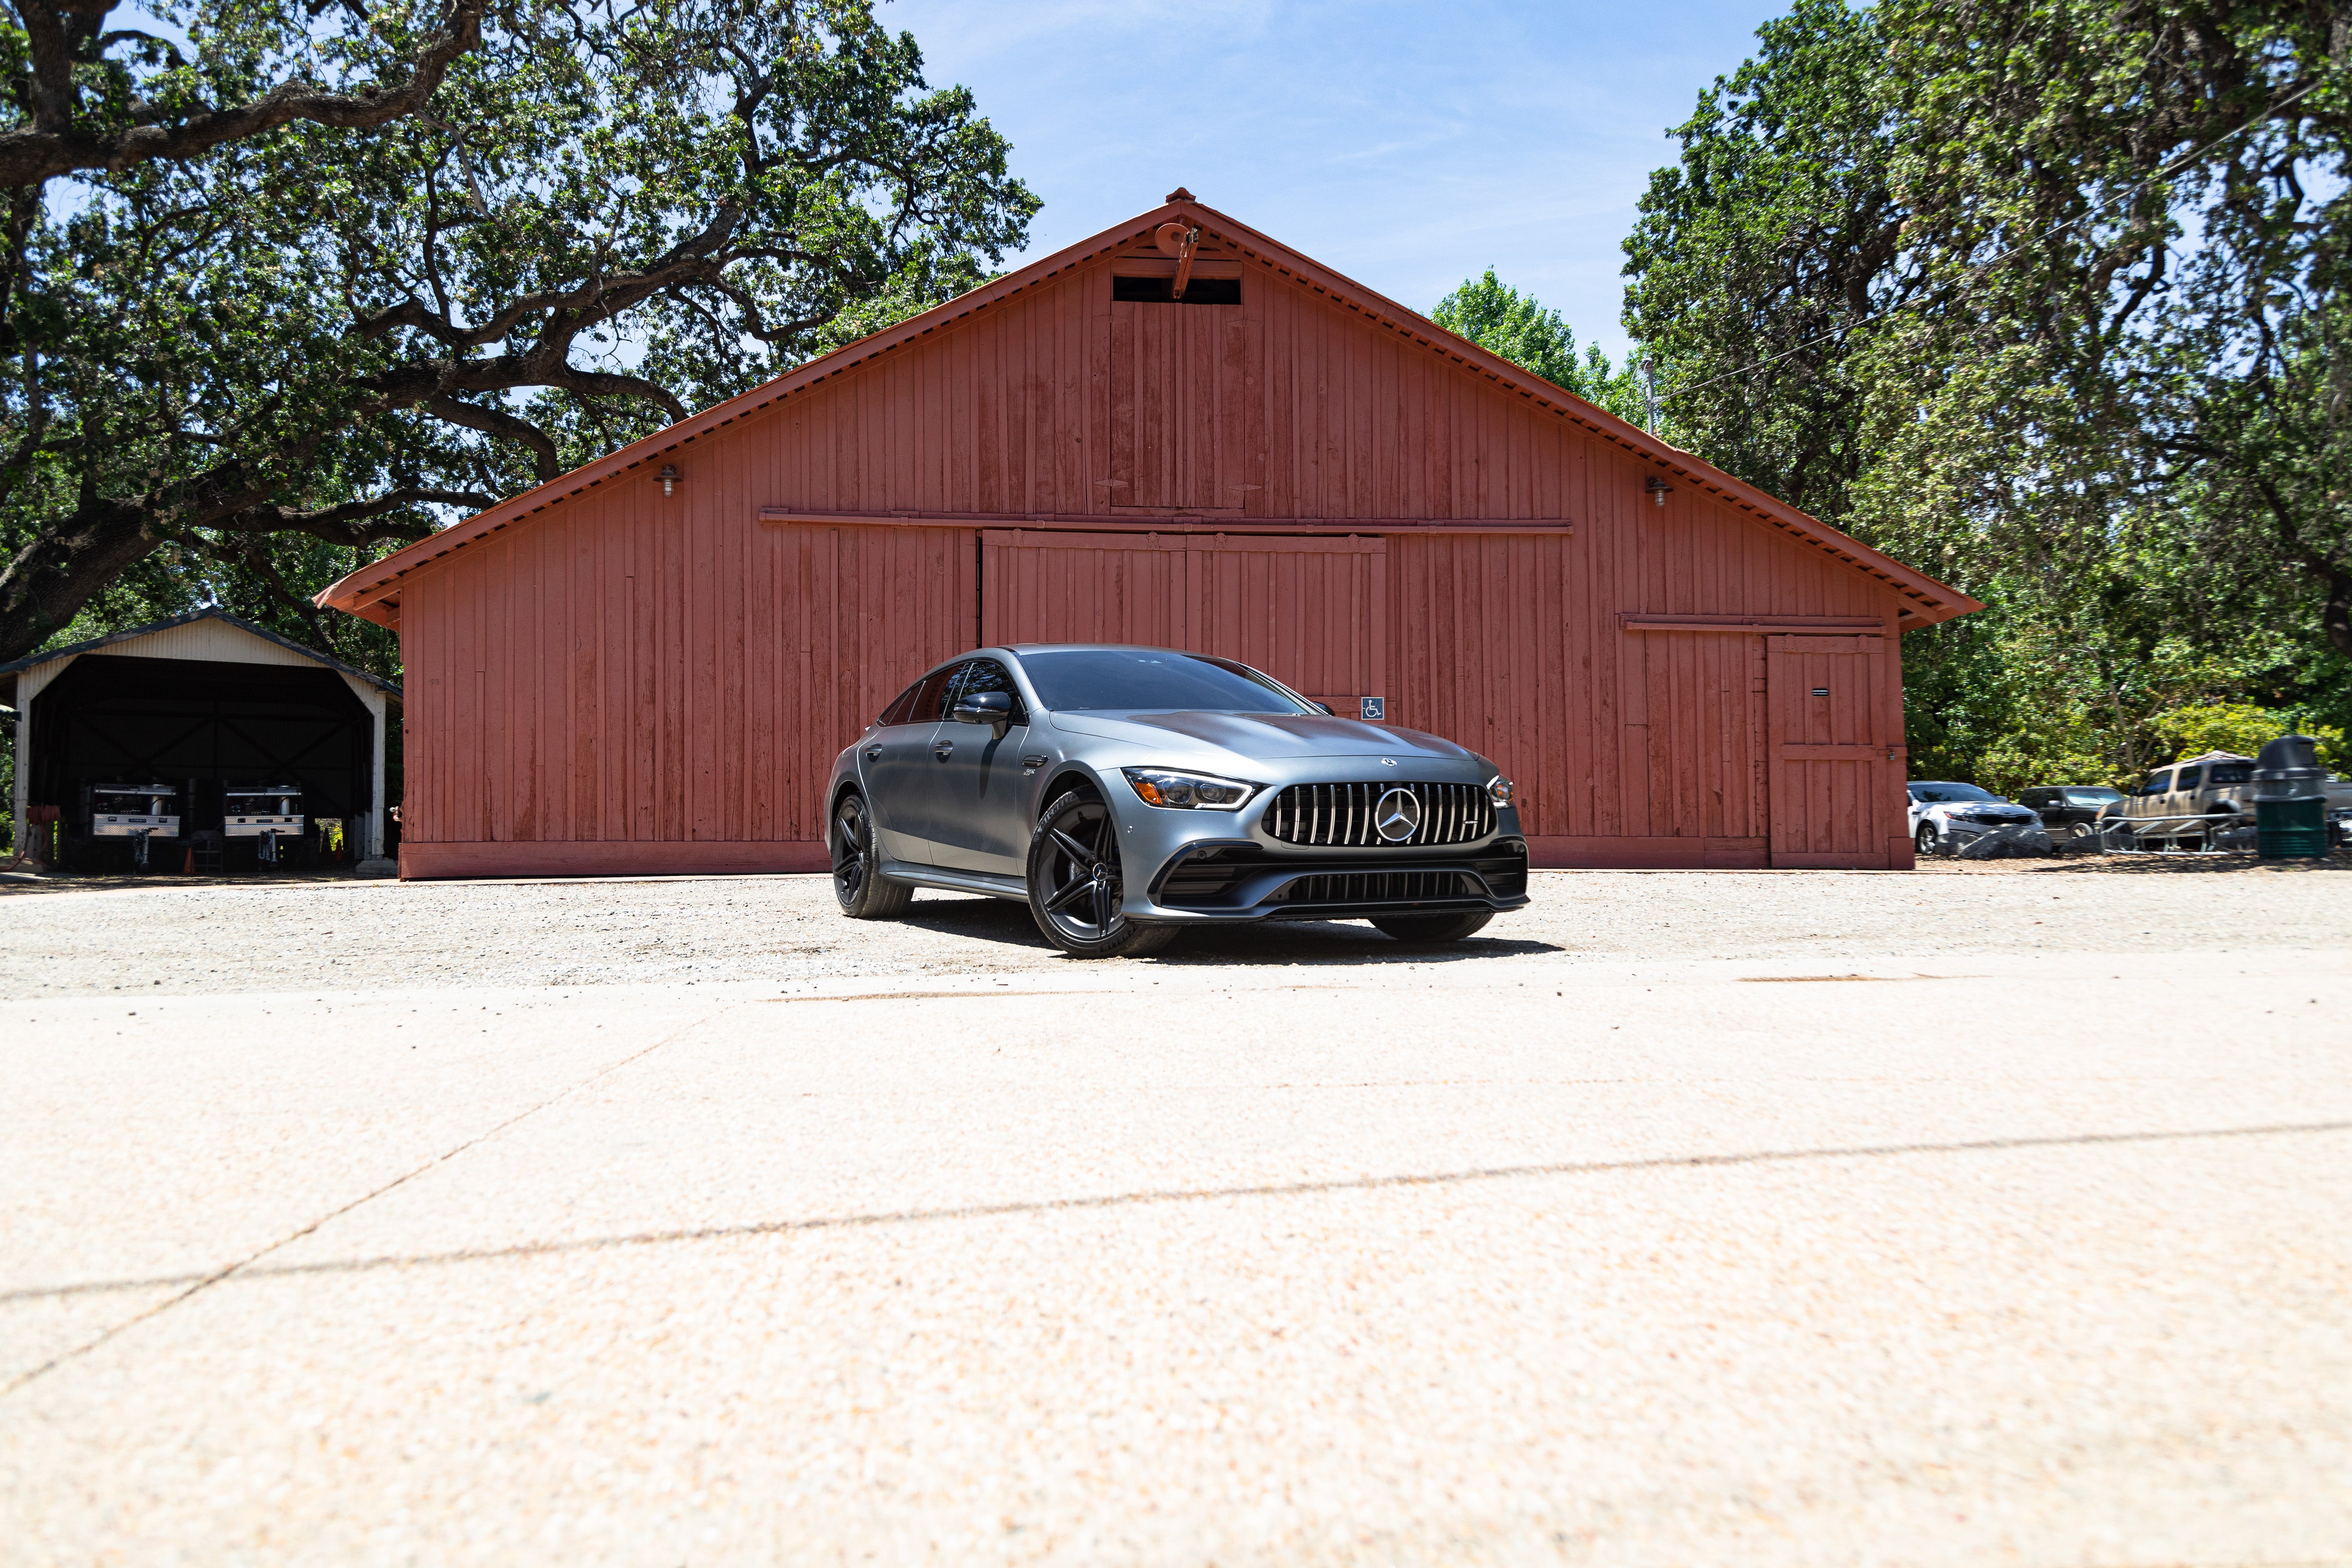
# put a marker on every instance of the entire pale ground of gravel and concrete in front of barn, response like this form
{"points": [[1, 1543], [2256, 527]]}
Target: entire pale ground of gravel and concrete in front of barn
{"points": [[1982, 1214]]}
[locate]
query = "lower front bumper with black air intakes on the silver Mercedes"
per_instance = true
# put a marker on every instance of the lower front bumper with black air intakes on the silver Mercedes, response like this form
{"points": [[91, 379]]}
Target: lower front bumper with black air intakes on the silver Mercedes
{"points": [[1241, 880]]}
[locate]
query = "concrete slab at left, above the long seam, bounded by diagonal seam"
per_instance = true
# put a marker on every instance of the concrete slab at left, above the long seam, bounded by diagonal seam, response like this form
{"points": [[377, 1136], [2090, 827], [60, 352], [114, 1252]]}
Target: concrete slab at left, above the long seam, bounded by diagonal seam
{"points": [[178, 1137]]}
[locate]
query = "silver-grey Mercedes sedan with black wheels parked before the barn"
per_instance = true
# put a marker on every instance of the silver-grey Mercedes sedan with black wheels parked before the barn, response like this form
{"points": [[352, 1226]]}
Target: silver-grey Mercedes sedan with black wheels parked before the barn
{"points": [[1130, 793]]}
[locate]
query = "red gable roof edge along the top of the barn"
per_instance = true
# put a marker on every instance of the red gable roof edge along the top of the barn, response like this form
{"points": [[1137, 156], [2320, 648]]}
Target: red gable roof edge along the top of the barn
{"points": [[1925, 601]]}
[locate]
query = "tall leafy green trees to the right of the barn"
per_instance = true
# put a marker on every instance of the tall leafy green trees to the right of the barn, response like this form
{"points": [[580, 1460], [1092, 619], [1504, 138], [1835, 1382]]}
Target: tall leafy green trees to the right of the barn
{"points": [[1996, 288]]}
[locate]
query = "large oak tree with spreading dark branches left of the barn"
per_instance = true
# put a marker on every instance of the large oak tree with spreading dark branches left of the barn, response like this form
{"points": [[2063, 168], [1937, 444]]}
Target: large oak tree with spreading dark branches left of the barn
{"points": [[236, 375]]}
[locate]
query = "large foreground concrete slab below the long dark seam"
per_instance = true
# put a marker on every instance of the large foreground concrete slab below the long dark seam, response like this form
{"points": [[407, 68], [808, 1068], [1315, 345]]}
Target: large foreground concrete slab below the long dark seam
{"points": [[2057, 1355]]}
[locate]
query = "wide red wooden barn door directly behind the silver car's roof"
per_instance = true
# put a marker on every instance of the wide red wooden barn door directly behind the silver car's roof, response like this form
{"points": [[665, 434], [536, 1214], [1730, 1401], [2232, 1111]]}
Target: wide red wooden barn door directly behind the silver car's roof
{"points": [[1311, 612]]}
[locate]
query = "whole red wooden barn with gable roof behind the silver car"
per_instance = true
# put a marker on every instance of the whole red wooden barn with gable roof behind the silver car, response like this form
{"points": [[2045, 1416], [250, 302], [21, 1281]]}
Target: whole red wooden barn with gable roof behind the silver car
{"points": [[648, 664]]}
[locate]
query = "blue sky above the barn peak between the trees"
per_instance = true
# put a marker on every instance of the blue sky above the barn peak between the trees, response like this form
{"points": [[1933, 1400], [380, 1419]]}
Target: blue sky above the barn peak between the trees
{"points": [[1403, 145]]}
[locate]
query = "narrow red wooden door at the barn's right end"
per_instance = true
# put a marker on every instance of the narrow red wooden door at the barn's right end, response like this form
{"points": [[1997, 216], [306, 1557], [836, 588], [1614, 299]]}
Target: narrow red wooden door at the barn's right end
{"points": [[1836, 711]]}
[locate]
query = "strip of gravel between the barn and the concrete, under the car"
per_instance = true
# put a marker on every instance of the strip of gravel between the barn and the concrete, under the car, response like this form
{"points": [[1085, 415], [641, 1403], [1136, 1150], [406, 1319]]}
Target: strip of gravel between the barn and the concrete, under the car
{"points": [[67, 937]]}
